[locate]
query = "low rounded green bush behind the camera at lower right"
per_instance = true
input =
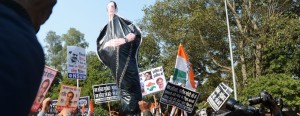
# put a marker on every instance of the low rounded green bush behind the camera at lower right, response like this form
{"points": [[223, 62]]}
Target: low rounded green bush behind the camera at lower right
{"points": [[279, 85]]}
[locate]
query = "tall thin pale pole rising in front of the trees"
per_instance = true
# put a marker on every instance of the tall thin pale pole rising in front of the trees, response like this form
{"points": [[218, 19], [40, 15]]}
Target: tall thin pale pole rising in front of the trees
{"points": [[231, 56]]}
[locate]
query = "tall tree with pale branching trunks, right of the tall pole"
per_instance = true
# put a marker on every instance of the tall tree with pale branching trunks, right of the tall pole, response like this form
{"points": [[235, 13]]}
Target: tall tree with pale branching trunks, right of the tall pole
{"points": [[258, 24]]}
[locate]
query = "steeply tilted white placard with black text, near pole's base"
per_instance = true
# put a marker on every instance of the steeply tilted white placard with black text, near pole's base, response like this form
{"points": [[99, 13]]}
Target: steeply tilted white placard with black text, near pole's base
{"points": [[218, 97]]}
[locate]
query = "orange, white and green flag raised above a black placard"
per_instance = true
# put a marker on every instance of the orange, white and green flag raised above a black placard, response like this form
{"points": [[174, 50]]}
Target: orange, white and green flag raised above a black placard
{"points": [[183, 70]]}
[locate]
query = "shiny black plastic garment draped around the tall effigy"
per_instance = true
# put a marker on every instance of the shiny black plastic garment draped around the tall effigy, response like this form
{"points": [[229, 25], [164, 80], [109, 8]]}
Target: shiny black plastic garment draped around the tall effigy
{"points": [[122, 61]]}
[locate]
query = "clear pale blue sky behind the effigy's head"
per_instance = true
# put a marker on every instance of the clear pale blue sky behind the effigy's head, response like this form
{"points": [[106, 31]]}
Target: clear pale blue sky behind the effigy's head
{"points": [[88, 17]]}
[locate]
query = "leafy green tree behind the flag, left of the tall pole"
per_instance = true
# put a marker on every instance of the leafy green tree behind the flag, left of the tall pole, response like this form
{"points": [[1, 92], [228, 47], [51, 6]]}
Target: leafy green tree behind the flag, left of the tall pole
{"points": [[198, 27]]}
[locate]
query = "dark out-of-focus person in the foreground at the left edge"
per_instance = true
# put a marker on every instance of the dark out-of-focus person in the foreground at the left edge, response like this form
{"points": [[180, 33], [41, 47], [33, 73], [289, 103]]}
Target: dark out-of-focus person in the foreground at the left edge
{"points": [[22, 59]]}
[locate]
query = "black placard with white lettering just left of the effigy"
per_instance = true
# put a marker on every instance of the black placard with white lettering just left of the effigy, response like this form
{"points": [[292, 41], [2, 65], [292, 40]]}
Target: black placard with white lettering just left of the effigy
{"points": [[105, 92]]}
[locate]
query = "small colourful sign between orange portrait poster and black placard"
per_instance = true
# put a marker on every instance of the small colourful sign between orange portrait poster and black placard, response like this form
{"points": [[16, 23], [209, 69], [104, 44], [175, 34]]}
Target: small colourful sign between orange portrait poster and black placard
{"points": [[84, 101]]}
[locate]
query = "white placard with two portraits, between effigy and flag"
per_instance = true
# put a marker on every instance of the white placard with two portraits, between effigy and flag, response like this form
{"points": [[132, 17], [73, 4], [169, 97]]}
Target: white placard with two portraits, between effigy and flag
{"points": [[152, 81]]}
